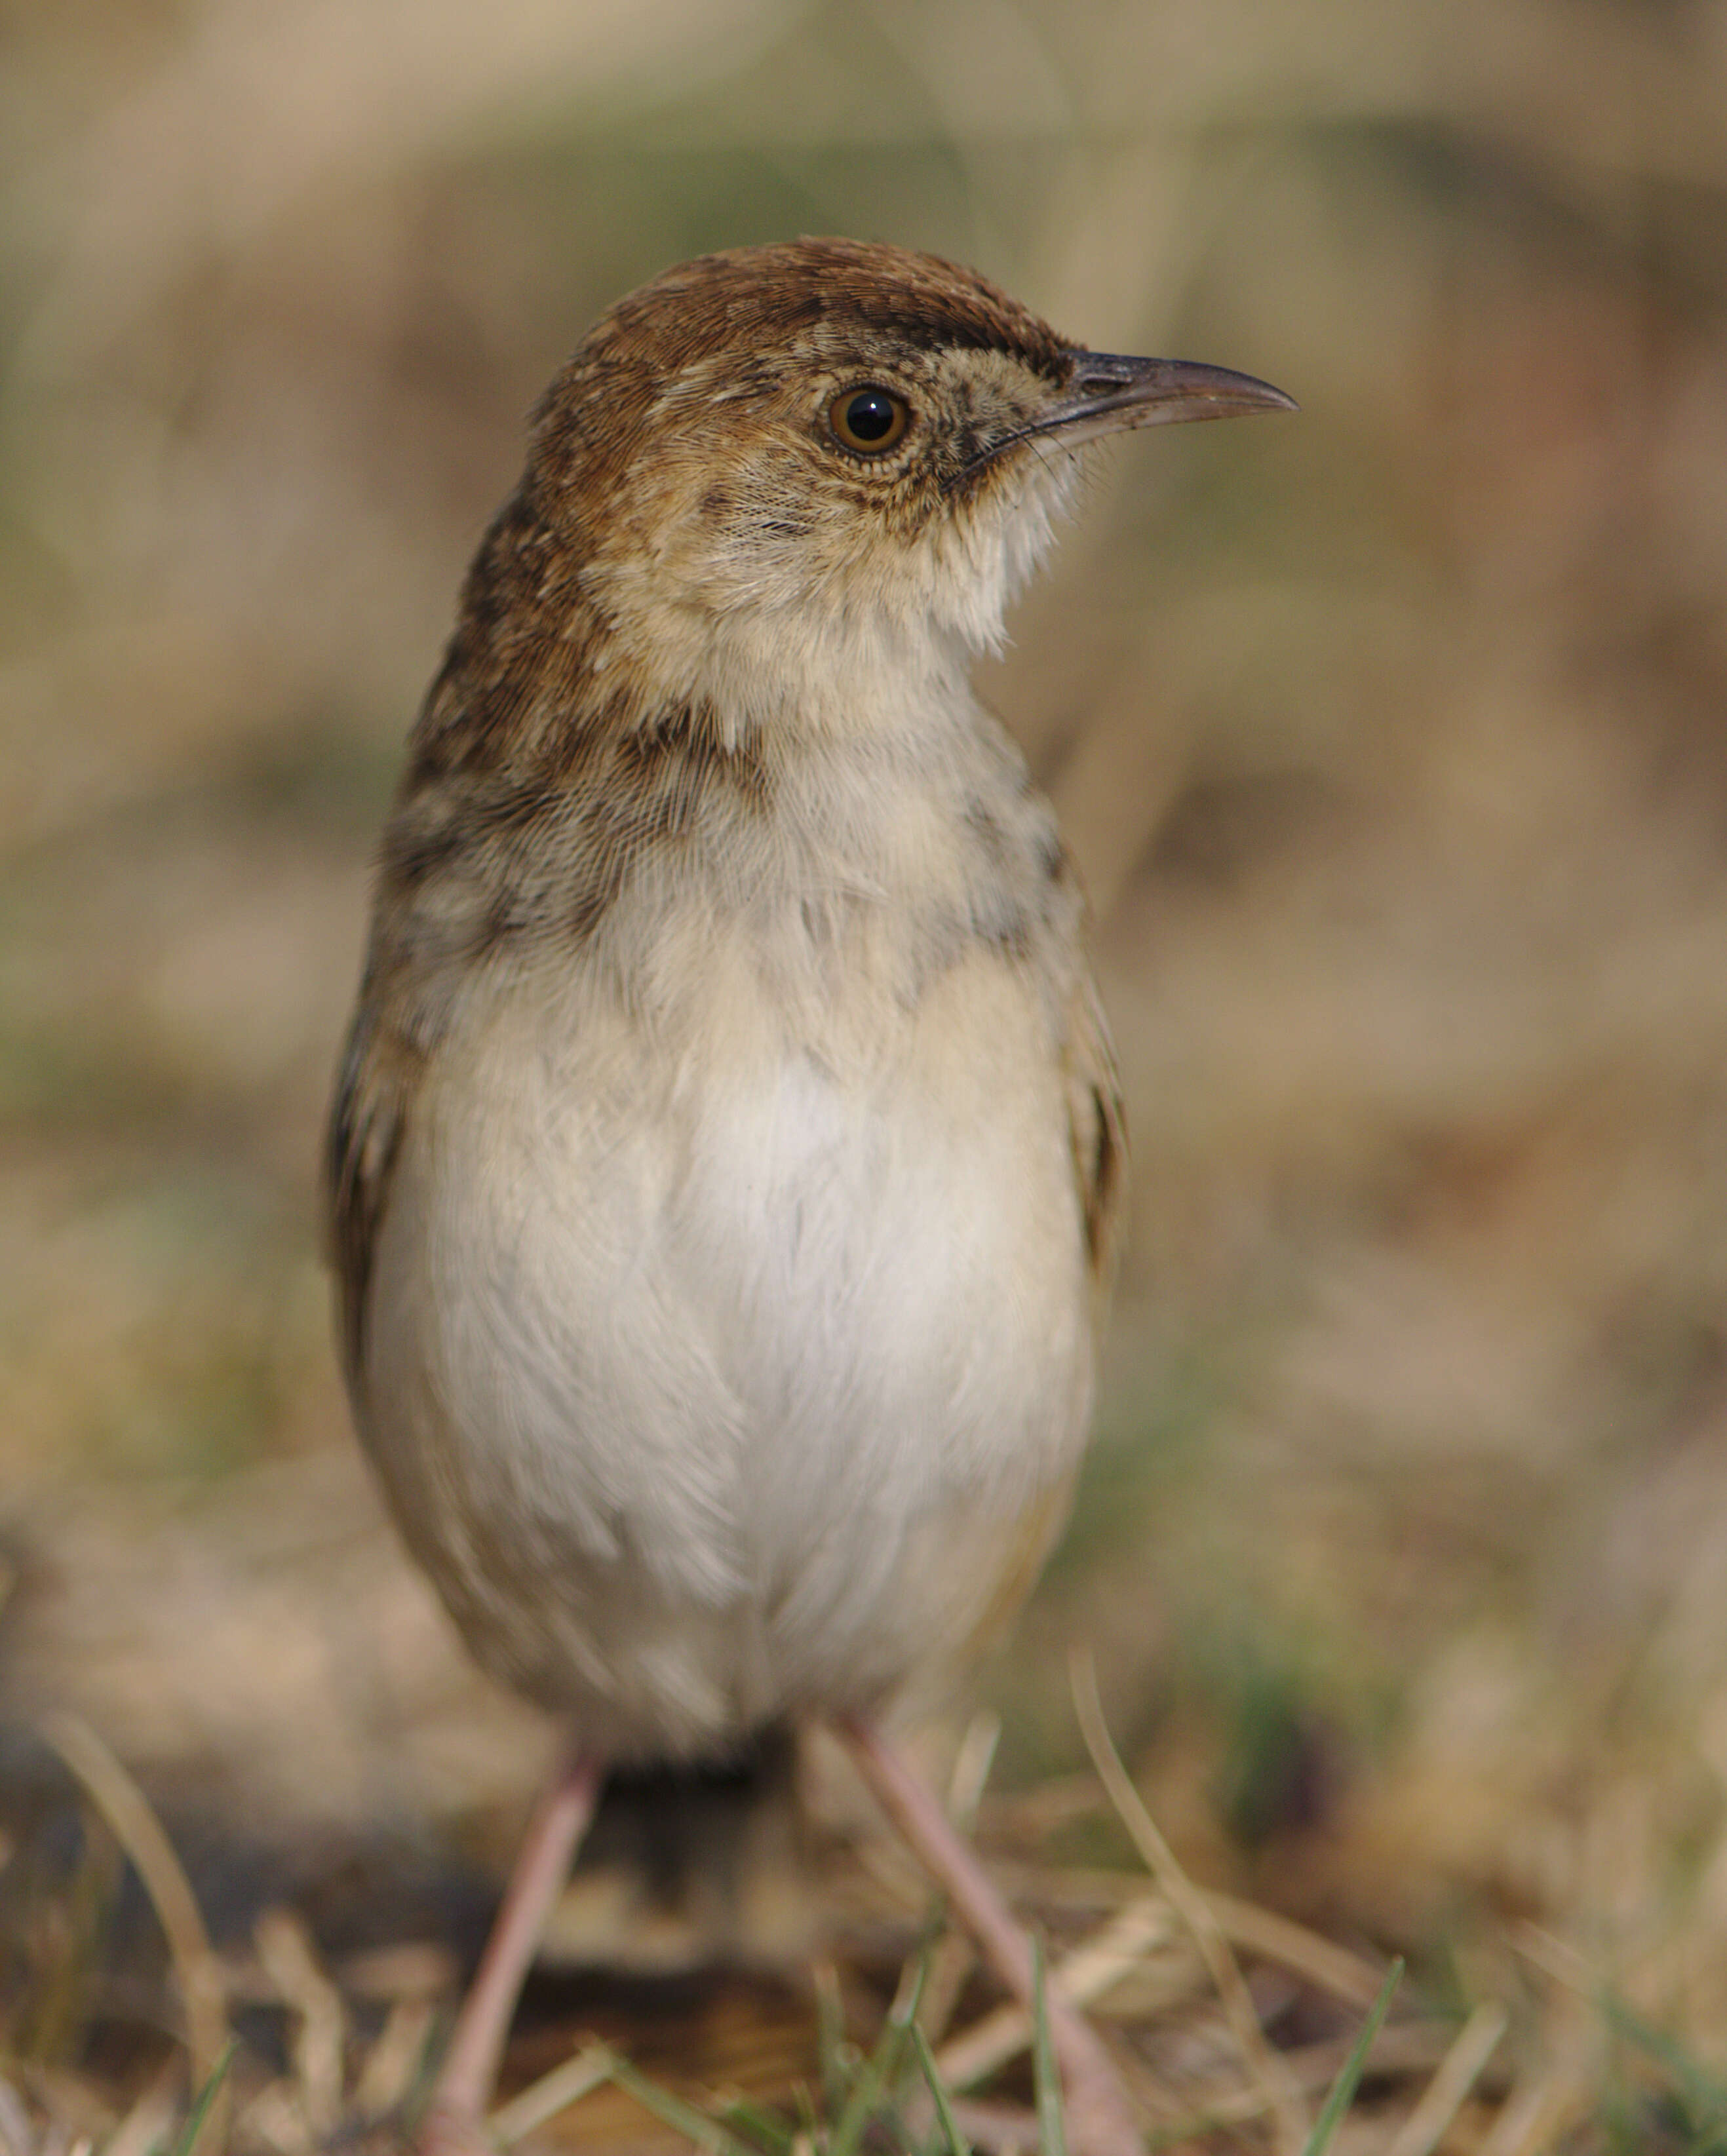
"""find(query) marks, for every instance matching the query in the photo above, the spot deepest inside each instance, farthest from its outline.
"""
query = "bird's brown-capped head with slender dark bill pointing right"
(799, 471)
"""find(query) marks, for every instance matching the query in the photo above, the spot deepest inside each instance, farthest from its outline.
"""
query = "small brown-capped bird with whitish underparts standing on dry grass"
(726, 1170)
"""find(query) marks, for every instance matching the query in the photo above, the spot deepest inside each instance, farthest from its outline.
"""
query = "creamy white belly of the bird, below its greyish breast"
(723, 1385)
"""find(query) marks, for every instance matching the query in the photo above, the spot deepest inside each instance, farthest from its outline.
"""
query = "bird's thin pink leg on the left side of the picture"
(454, 2123)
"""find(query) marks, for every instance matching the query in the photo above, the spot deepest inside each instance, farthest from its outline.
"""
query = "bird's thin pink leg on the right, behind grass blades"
(1101, 2114)
